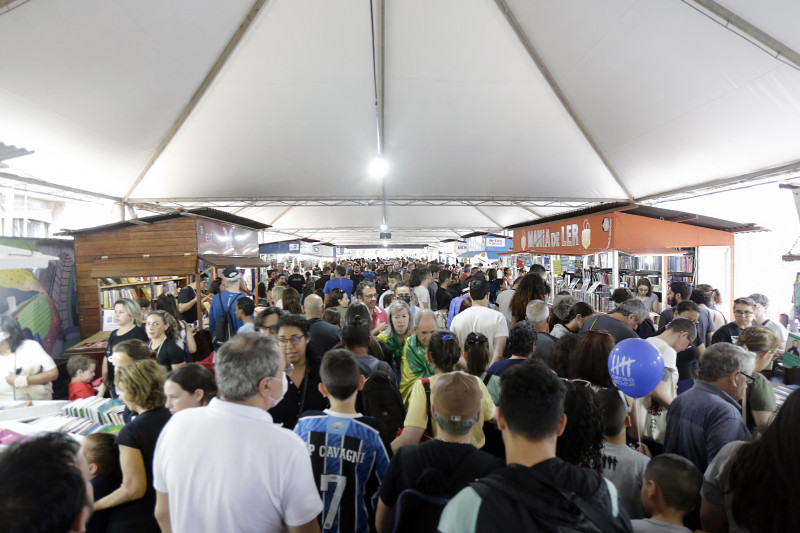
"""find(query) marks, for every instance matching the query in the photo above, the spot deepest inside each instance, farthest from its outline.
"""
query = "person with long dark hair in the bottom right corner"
(748, 486)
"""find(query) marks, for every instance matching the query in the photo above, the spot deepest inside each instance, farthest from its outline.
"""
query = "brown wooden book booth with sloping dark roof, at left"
(144, 257)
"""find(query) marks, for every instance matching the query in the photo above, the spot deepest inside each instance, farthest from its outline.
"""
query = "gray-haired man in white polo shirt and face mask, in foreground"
(249, 474)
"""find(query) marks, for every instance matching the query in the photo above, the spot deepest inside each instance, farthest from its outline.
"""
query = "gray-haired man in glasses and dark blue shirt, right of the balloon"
(708, 416)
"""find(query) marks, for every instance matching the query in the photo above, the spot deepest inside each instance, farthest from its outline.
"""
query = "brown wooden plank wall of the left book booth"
(172, 246)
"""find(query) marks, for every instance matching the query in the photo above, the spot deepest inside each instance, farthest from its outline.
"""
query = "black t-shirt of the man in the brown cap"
(459, 464)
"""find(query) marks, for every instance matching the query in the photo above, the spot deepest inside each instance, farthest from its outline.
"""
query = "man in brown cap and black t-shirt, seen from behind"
(456, 406)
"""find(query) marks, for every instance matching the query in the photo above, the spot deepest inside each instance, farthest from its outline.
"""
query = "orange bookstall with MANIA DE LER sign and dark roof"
(596, 250)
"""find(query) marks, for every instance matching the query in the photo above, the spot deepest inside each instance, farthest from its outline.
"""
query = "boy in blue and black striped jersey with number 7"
(348, 456)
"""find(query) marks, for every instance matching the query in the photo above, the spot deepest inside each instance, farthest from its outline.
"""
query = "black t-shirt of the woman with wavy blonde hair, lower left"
(142, 434)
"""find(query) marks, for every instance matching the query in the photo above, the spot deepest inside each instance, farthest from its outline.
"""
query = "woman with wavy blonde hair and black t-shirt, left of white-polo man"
(133, 503)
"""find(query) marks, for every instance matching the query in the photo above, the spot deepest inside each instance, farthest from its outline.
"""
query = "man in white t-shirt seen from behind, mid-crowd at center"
(480, 319)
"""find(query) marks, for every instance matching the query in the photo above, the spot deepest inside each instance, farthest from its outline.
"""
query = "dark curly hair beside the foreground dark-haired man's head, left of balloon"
(581, 443)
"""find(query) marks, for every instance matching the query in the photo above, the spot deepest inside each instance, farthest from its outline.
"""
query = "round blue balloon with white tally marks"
(636, 367)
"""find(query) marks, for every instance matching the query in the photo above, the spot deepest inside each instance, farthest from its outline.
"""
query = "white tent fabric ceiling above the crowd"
(629, 97)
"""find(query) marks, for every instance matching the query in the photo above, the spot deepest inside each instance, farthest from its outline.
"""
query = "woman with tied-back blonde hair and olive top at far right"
(759, 401)
